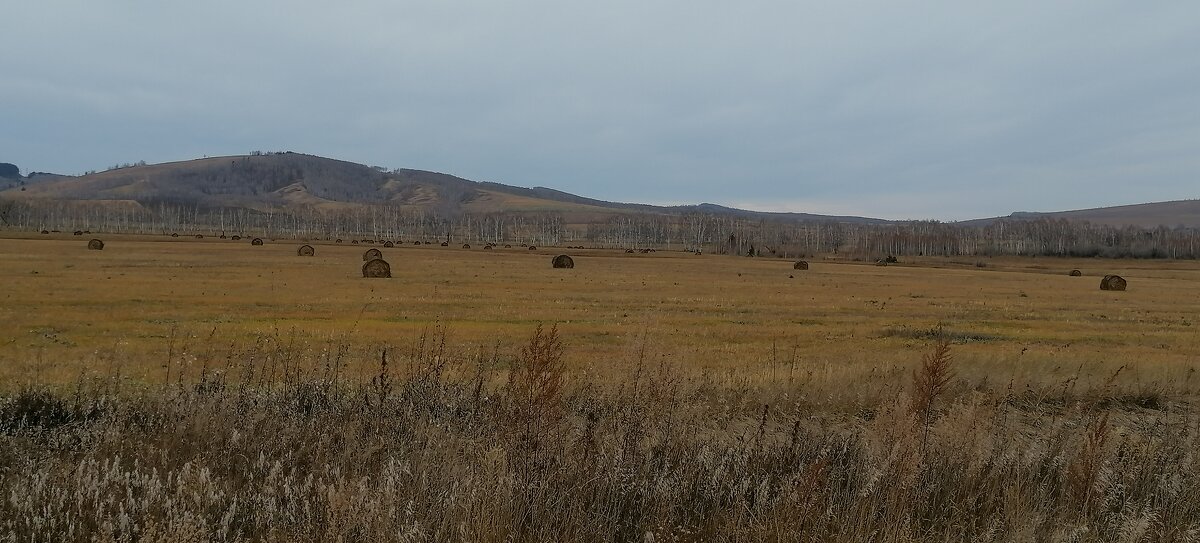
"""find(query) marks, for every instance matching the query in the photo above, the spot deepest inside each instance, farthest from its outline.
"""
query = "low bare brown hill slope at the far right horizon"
(1149, 216)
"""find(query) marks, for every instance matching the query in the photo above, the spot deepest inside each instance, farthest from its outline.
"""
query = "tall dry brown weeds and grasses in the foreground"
(278, 444)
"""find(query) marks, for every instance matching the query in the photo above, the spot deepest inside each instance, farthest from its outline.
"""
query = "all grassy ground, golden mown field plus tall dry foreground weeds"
(676, 398)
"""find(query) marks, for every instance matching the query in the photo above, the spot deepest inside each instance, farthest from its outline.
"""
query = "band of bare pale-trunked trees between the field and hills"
(692, 231)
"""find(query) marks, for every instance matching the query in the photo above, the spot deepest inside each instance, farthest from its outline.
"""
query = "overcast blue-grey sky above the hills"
(892, 110)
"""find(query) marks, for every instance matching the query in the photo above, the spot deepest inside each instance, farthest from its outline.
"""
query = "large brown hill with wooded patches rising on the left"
(290, 180)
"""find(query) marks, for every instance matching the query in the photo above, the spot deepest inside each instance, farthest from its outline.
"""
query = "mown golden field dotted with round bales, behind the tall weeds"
(69, 312)
